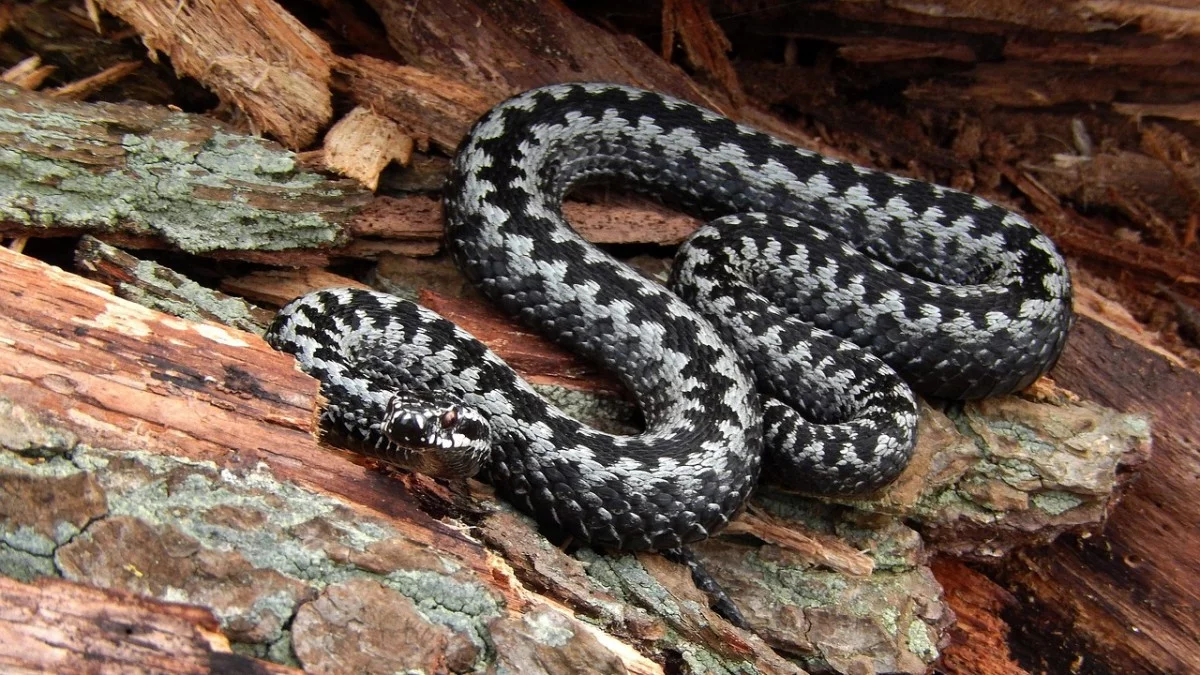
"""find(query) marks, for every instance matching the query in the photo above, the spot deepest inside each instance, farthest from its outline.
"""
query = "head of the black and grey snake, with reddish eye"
(436, 435)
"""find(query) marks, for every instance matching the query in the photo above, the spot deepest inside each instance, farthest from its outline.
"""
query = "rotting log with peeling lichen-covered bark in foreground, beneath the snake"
(91, 381)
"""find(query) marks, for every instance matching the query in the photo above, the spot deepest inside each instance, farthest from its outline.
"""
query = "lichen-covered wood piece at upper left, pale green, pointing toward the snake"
(178, 176)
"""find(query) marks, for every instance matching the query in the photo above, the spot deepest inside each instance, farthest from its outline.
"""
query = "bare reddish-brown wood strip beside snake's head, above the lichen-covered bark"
(127, 378)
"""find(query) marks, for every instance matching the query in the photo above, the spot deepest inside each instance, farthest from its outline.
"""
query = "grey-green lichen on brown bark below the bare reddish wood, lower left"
(247, 515)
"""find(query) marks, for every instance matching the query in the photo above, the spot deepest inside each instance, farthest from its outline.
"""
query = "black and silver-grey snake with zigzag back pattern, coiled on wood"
(796, 326)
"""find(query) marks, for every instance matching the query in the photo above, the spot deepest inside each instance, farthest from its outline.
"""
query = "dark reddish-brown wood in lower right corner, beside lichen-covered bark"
(1131, 596)
